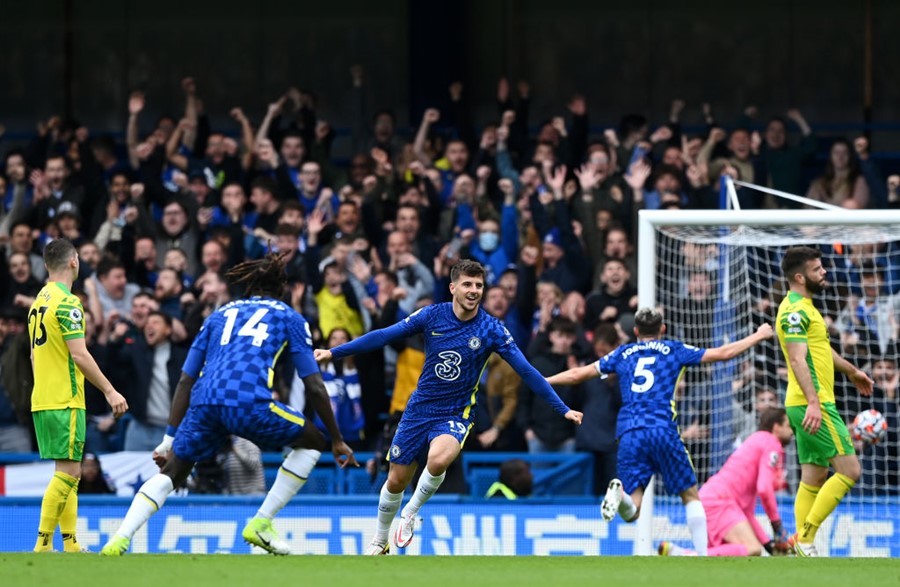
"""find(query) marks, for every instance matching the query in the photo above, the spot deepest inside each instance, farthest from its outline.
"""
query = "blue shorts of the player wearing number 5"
(644, 452)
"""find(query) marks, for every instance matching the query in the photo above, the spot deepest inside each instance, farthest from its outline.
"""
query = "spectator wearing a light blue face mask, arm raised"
(494, 249)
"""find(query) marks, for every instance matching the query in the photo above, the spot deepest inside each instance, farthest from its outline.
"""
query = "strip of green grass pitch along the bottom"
(174, 570)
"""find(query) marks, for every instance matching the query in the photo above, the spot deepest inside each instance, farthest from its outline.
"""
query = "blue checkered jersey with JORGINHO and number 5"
(648, 373)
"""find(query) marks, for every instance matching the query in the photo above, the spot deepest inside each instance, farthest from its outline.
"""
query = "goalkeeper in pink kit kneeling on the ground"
(756, 469)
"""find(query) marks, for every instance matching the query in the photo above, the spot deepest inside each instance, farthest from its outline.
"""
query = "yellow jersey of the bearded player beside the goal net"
(799, 321)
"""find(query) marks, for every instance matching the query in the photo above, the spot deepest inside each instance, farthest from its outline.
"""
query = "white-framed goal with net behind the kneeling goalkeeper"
(716, 275)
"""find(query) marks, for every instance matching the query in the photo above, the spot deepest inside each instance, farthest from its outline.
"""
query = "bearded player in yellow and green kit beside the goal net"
(822, 437)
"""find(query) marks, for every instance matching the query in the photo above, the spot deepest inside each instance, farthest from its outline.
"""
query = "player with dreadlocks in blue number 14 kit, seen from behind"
(226, 388)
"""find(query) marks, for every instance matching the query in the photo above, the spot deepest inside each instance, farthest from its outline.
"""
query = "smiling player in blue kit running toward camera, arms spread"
(459, 338)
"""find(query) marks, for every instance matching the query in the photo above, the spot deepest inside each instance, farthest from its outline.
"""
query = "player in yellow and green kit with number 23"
(61, 361)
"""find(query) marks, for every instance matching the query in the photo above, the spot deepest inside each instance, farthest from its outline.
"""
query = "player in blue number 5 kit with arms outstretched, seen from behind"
(649, 441)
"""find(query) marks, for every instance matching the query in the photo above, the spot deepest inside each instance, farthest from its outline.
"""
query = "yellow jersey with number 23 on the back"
(56, 316)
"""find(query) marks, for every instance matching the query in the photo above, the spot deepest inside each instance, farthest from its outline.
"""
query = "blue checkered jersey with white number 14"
(235, 352)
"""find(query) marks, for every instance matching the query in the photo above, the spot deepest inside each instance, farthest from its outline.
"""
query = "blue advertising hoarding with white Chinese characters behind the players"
(450, 526)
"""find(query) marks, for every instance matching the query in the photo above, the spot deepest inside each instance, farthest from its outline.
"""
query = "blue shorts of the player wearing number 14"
(269, 425)
